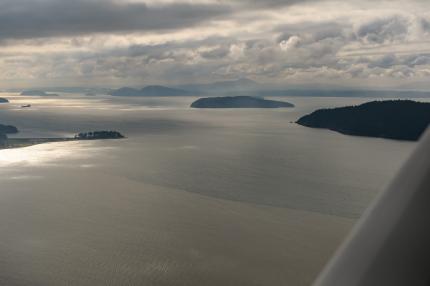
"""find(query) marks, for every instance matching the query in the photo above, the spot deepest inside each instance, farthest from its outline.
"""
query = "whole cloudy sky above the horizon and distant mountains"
(112, 43)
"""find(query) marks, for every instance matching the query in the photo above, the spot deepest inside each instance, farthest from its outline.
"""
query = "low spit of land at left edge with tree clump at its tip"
(6, 142)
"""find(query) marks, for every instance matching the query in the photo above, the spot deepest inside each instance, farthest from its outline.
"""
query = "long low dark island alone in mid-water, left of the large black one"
(238, 102)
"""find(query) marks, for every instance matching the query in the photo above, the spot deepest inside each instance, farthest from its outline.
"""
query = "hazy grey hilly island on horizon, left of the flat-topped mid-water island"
(151, 90)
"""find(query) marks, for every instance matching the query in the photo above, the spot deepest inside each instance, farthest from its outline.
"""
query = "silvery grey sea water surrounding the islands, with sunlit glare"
(190, 197)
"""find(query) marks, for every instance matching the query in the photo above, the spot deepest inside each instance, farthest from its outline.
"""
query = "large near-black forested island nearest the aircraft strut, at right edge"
(392, 119)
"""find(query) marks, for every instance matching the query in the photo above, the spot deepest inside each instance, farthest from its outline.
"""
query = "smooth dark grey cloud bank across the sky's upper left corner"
(50, 18)
